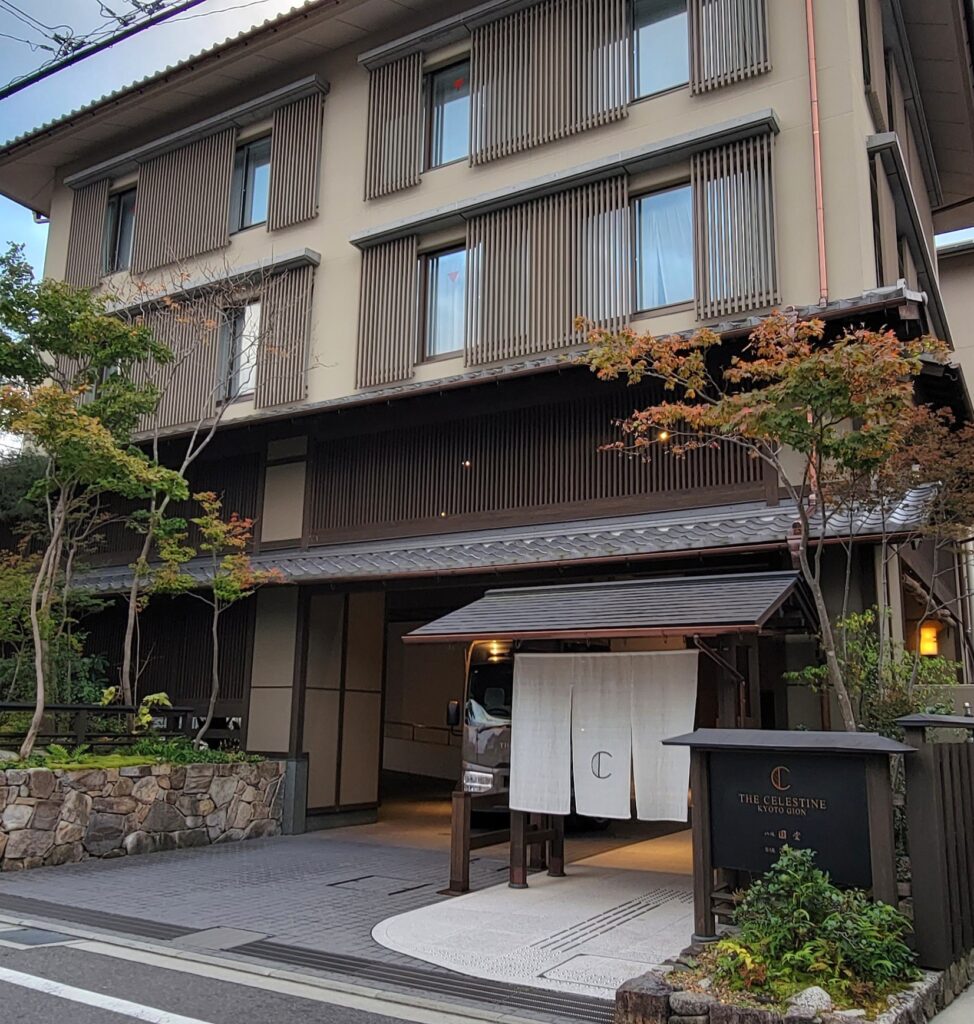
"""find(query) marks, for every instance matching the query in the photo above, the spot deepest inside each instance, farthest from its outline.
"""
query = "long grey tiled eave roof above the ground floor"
(747, 526)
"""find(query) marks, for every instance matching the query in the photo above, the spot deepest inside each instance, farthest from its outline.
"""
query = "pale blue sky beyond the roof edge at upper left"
(134, 59)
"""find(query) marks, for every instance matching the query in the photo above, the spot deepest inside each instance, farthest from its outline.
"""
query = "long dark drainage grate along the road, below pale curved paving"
(539, 1001)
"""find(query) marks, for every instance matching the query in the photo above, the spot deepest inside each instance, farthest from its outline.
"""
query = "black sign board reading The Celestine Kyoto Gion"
(761, 801)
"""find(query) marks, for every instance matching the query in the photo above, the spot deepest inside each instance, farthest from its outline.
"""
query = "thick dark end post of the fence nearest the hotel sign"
(925, 836)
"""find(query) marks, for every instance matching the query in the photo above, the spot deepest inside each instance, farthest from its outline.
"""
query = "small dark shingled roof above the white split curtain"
(675, 607)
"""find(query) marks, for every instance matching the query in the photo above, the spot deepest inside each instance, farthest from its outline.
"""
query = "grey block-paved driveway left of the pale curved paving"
(318, 891)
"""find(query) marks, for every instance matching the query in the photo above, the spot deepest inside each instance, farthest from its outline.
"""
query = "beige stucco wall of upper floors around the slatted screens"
(845, 124)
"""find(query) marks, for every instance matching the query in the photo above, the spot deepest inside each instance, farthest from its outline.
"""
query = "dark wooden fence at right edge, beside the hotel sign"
(941, 835)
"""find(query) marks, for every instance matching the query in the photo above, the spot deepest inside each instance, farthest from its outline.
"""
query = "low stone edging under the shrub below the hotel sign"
(652, 999)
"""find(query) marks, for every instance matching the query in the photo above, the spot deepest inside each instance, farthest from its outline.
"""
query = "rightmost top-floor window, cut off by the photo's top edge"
(661, 46)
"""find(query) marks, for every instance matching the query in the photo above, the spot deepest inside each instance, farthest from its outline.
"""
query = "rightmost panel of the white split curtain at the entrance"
(664, 701)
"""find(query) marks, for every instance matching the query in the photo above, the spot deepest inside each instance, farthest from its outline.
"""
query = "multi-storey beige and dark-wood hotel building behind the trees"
(379, 223)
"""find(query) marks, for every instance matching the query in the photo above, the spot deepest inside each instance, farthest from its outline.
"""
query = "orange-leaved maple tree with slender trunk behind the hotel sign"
(845, 407)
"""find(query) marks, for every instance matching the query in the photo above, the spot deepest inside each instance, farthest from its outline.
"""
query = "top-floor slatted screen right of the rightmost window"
(729, 42)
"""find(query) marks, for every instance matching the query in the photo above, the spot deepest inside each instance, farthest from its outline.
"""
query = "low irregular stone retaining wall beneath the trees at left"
(61, 818)
